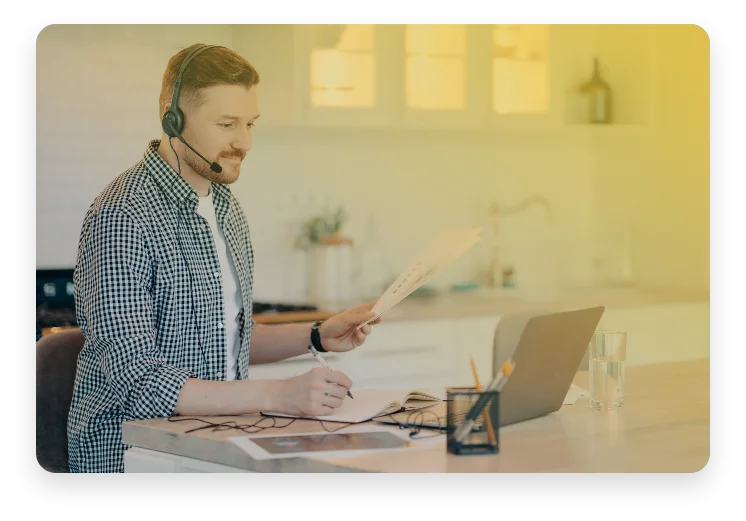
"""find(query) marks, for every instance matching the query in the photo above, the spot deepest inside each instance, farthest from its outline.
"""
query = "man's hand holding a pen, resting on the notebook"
(315, 393)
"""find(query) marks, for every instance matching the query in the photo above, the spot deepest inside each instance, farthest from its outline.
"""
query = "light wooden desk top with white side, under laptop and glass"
(664, 426)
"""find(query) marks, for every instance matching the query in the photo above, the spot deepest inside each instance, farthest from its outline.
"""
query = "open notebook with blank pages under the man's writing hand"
(369, 403)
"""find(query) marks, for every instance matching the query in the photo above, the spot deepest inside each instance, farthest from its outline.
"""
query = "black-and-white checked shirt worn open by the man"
(149, 300)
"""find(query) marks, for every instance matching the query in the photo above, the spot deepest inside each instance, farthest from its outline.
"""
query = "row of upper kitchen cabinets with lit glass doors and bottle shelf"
(489, 77)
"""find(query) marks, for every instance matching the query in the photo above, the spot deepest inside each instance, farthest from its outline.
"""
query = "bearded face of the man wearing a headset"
(220, 129)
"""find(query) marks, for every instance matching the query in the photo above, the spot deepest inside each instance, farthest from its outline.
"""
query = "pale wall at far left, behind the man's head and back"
(97, 93)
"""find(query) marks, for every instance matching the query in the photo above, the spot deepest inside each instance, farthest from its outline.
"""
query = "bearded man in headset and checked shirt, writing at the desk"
(163, 280)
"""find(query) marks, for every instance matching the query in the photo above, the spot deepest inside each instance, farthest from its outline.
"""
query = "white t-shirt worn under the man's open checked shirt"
(231, 288)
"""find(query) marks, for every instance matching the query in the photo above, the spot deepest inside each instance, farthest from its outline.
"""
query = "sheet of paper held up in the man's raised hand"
(442, 250)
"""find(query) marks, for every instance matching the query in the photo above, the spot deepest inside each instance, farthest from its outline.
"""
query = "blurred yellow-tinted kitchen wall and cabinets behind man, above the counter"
(581, 150)
